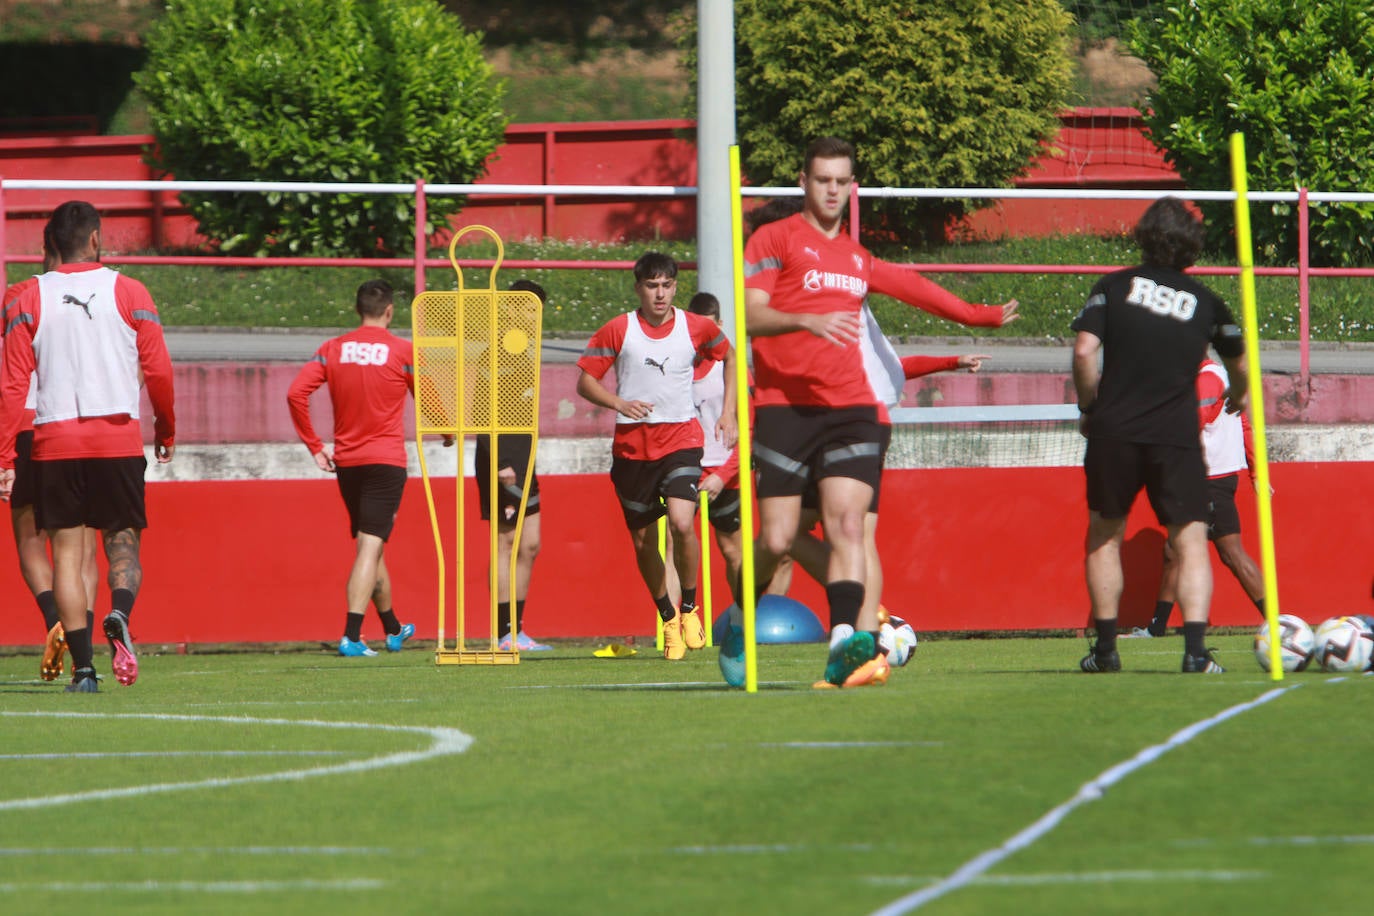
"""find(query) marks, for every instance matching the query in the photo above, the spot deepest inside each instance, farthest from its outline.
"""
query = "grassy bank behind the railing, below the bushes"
(582, 300)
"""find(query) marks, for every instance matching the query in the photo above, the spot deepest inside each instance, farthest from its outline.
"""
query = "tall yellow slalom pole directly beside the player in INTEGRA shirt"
(747, 479)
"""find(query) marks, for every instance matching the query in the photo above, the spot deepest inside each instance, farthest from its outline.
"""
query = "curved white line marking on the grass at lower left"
(443, 742)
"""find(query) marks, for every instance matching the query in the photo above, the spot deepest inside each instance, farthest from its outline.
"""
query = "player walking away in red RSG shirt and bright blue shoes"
(369, 371)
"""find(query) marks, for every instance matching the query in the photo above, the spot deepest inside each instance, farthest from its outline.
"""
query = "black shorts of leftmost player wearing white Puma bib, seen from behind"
(102, 494)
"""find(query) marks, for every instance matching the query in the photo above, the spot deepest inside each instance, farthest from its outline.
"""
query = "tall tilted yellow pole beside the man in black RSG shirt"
(1265, 502)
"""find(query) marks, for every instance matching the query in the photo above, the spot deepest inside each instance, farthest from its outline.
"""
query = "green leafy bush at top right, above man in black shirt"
(1298, 82)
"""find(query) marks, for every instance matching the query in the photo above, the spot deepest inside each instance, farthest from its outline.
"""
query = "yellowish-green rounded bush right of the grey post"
(958, 94)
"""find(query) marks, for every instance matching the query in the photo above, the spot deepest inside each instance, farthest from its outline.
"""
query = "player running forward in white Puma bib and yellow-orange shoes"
(657, 448)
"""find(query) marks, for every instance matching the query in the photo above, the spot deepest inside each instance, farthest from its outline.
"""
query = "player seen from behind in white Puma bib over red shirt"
(89, 459)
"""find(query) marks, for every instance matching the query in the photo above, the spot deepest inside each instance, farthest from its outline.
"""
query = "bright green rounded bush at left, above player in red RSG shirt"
(318, 91)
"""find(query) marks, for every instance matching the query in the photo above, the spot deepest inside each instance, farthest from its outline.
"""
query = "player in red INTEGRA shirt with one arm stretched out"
(820, 421)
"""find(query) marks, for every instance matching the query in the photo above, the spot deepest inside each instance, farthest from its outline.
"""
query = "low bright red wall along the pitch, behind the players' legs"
(266, 561)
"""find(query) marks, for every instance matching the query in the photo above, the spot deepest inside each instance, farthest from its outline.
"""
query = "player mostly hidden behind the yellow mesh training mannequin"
(513, 463)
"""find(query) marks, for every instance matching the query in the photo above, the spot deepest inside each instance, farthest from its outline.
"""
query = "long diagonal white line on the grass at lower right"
(1090, 792)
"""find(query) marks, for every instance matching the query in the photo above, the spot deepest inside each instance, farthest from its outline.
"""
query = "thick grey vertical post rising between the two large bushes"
(715, 137)
